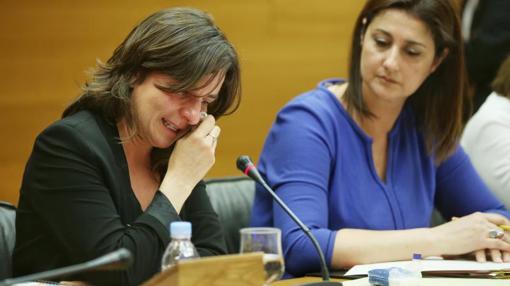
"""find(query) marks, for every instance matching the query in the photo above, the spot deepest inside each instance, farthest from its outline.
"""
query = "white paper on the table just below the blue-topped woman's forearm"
(433, 265)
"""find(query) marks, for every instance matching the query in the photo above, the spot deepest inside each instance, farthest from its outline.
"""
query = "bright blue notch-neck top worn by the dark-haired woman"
(319, 161)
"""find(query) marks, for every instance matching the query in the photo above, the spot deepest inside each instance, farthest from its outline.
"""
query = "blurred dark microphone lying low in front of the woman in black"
(117, 260)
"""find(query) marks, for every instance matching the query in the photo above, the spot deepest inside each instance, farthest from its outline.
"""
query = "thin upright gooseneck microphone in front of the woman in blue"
(246, 166)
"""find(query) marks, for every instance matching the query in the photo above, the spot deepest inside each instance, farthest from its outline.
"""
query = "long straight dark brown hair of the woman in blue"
(438, 102)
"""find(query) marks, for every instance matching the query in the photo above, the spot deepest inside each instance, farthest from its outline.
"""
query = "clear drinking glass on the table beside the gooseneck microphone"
(268, 241)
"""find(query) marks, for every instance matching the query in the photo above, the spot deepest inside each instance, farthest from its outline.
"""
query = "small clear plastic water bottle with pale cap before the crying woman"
(180, 247)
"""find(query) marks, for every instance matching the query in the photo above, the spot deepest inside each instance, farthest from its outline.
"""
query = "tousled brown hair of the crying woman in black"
(183, 43)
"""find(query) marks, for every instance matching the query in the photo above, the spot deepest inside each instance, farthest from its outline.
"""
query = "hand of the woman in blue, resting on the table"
(470, 234)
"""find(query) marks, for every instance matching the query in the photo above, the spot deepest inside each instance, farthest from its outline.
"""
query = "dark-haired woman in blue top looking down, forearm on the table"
(363, 162)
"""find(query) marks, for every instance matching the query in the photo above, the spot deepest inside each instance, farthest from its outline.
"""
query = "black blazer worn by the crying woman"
(76, 203)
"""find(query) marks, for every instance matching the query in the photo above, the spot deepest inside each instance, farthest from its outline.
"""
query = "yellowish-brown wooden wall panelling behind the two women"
(285, 46)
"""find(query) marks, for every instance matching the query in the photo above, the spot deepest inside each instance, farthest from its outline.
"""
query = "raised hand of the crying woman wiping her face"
(191, 159)
